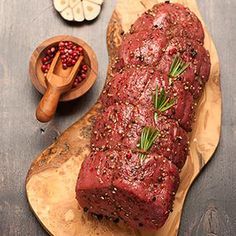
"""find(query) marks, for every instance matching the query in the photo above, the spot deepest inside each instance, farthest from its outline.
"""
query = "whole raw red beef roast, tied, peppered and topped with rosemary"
(139, 141)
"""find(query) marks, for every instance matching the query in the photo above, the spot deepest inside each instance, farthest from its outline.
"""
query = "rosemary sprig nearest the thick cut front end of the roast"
(148, 137)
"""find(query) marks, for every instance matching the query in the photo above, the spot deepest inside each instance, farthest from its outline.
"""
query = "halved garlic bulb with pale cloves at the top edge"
(78, 10)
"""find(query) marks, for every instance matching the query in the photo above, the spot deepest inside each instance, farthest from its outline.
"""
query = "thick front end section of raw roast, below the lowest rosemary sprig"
(116, 184)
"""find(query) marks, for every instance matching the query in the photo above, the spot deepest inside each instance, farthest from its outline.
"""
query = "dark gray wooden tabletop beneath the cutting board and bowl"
(210, 208)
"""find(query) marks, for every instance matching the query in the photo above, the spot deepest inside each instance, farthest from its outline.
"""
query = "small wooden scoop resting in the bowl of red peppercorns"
(58, 82)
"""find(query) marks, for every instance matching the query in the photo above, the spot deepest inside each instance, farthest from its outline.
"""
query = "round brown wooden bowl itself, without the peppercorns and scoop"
(37, 76)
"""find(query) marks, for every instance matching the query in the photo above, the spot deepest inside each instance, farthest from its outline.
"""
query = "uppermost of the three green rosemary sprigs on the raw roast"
(178, 67)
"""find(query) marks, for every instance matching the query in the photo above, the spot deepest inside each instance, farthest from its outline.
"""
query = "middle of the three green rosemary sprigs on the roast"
(162, 102)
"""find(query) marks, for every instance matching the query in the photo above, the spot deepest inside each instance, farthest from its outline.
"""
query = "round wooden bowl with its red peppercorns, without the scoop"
(71, 48)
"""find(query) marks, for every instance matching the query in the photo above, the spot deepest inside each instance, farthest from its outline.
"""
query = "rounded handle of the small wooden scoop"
(48, 104)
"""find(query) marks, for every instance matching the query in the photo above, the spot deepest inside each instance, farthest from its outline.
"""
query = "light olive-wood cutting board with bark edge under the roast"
(50, 183)
